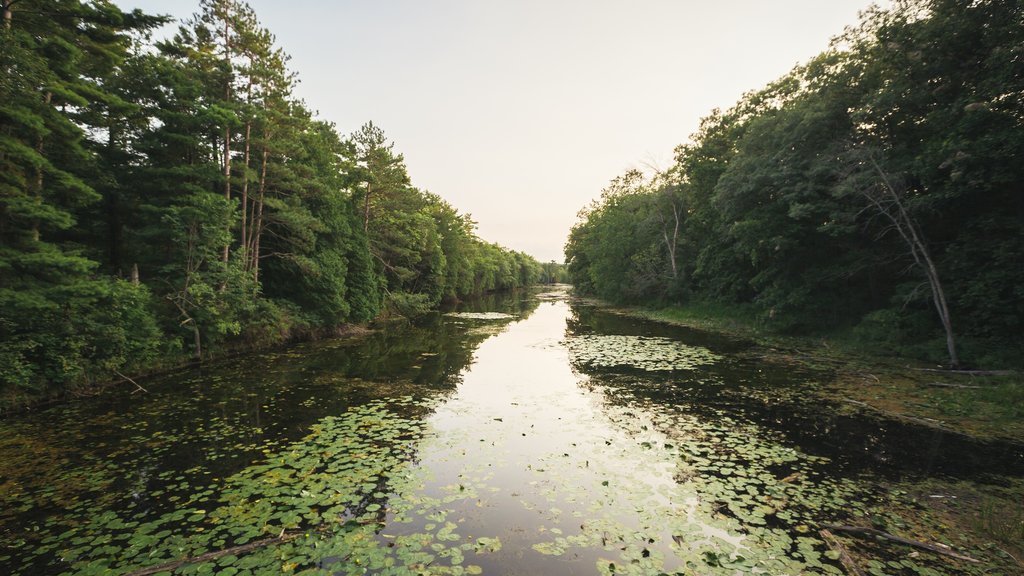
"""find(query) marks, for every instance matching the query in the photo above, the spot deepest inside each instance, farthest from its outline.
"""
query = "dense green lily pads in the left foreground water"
(330, 492)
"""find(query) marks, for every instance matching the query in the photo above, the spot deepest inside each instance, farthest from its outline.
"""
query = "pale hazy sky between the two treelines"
(521, 112)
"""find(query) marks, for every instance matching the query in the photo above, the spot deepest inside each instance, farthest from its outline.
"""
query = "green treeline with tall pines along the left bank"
(160, 201)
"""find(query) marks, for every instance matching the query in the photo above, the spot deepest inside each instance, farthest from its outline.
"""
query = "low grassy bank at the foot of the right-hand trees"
(987, 405)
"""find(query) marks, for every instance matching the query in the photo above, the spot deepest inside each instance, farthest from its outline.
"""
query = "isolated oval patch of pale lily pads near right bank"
(644, 353)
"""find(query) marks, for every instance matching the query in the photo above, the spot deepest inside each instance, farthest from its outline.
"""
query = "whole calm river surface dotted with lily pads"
(522, 435)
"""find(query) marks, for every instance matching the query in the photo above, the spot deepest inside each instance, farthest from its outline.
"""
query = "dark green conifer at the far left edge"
(59, 58)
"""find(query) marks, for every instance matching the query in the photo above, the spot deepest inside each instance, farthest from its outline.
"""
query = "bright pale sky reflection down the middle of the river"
(529, 455)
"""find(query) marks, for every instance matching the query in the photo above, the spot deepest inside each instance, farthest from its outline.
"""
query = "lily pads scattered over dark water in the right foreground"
(773, 495)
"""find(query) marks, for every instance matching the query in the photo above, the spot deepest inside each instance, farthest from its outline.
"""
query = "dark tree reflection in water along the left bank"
(145, 457)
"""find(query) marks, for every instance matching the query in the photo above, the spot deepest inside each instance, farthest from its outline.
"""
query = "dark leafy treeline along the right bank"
(877, 191)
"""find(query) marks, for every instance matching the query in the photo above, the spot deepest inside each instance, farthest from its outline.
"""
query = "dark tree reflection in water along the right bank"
(778, 396)
